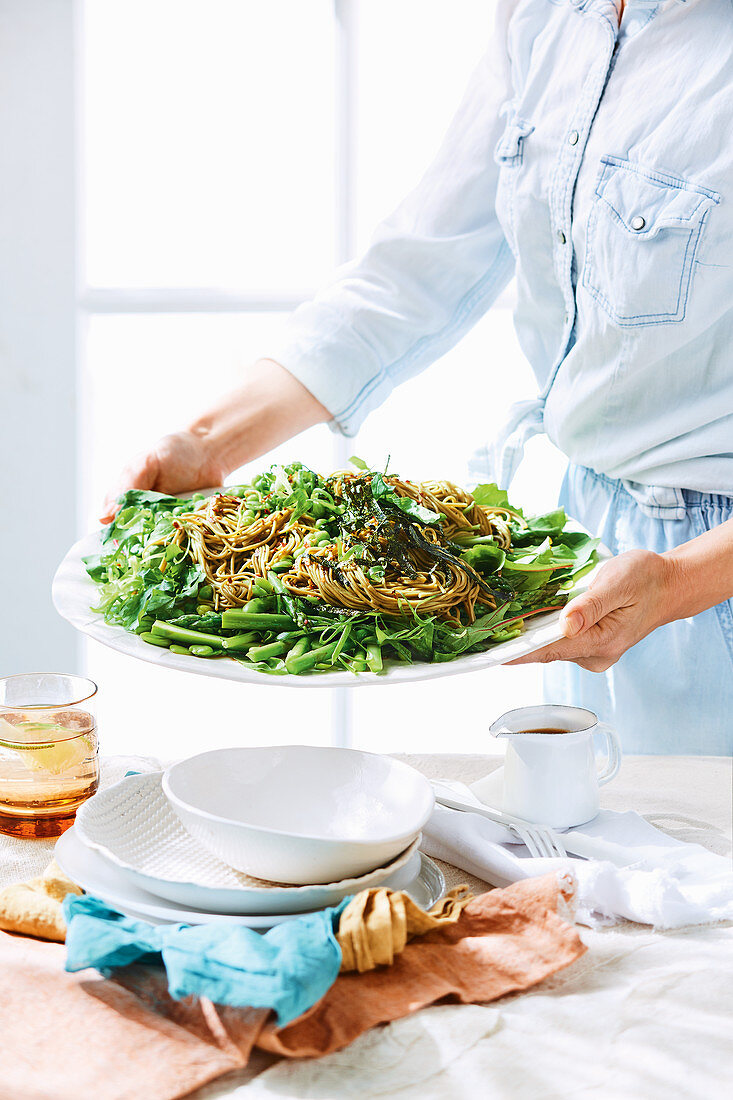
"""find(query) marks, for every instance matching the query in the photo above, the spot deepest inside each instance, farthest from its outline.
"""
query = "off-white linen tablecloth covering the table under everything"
(642, 1017)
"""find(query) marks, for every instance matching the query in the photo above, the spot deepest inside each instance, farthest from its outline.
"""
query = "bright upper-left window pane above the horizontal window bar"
(210, 142)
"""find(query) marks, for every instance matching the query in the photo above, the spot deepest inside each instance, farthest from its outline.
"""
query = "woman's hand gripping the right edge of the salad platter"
(631, 597)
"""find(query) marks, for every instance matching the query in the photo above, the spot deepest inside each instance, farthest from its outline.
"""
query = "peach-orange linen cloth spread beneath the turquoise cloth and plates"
(65, 1036)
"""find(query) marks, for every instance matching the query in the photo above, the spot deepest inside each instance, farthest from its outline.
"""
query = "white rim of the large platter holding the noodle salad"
(75, 593)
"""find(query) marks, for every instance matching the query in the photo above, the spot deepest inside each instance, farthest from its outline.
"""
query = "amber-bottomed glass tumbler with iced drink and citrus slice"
(49, 752)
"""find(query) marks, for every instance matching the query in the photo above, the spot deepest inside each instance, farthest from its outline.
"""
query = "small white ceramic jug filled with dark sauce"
(554, 778)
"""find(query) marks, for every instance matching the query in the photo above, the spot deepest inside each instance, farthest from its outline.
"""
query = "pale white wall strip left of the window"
(38, 323)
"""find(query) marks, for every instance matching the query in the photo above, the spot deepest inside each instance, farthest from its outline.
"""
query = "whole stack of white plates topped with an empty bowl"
(256, 835)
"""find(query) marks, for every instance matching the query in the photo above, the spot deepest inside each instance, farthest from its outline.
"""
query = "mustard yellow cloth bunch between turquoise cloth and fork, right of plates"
(377, 925)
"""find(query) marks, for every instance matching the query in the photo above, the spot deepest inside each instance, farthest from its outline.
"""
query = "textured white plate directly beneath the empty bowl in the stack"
(134, 826)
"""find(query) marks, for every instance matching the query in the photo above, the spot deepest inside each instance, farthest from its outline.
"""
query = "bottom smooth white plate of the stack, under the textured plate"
(99, 877)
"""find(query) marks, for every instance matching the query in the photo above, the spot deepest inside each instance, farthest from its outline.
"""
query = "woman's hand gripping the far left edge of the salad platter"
(178, 464)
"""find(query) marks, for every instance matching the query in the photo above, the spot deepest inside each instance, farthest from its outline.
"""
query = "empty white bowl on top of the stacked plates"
(298, 813)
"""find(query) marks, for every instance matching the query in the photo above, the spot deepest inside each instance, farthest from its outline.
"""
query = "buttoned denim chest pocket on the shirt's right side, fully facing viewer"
(643, 235)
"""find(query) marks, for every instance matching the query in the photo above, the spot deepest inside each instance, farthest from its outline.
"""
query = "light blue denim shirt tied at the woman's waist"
(594, 162)
